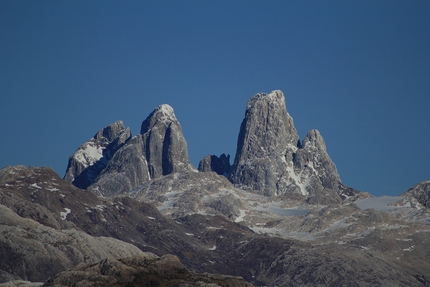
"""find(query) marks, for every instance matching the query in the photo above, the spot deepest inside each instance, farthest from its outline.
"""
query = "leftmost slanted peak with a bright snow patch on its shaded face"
(92, 157)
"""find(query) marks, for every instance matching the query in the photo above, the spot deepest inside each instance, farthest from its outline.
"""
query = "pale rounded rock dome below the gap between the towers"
(180, 194)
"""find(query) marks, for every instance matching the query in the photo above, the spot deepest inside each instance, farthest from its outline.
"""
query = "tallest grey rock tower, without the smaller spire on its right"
(266, 134)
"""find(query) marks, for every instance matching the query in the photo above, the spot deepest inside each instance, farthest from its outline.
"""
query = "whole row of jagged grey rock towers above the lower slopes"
(269, 157)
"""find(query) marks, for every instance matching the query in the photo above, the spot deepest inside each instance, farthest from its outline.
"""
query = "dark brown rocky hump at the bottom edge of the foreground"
(144, 270)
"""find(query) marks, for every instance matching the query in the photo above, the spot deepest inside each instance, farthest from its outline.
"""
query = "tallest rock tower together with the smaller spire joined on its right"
(271, 160)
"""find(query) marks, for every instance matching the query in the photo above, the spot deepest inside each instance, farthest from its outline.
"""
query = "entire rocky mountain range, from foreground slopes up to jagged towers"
(133, 211)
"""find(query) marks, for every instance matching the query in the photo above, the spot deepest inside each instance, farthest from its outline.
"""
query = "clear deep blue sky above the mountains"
(358, 71)
